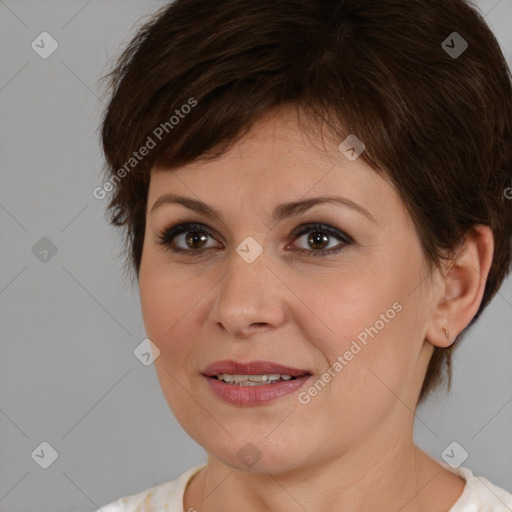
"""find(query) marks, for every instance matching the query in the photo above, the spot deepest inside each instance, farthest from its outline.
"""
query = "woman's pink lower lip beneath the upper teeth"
(253, 395)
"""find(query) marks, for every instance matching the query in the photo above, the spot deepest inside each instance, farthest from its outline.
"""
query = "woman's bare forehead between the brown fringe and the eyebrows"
(275, 161)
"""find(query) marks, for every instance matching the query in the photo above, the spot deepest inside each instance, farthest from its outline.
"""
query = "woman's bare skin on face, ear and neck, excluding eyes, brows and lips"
(351, 447)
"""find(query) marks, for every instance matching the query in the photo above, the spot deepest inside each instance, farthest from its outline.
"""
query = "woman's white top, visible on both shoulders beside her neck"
(479, 495)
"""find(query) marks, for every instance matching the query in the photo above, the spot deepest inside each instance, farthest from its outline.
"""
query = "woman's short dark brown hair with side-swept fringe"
(435, 116)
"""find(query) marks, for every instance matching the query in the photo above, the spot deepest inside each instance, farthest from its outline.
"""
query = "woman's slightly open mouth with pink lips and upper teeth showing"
(254, 382)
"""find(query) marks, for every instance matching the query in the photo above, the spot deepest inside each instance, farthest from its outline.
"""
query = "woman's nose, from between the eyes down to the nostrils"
(250, 298)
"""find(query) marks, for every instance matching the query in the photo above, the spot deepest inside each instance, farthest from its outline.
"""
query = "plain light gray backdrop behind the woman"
(69, 325)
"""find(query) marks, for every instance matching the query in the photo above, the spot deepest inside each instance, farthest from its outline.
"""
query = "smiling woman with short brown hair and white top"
(314, 200)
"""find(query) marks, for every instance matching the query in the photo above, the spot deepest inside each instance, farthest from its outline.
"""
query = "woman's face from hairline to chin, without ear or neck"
(254, 284)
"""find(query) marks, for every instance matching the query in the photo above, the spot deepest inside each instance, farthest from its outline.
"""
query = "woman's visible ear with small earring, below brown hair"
(461, 287)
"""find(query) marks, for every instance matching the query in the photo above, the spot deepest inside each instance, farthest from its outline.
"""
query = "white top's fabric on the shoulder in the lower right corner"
(481, 495)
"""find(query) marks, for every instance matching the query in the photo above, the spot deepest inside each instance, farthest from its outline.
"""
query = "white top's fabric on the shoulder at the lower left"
(164, 497)
